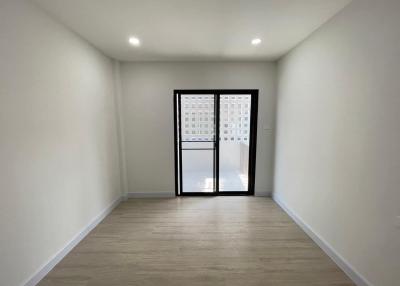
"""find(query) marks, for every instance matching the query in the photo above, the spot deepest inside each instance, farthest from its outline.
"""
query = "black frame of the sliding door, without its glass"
(252, 144)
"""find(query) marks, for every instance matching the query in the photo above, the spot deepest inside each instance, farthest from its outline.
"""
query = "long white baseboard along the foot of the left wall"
(47, 267)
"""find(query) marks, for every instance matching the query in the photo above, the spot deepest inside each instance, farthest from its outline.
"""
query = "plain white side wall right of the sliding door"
(338, 136)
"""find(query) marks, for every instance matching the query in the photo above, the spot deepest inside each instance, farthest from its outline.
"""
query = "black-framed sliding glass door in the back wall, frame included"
(215, 141)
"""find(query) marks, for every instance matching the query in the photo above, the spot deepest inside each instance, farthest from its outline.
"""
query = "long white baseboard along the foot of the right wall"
(357, 278)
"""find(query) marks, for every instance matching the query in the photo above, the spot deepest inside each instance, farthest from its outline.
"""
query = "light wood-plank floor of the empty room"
(197, 241)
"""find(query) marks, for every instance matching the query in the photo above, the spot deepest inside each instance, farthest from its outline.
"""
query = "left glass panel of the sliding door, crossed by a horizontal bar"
(197, 113)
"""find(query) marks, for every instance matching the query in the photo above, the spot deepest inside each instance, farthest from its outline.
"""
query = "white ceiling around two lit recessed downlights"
(176, 30)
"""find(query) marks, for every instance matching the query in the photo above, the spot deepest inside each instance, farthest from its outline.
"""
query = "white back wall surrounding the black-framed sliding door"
(147, 92)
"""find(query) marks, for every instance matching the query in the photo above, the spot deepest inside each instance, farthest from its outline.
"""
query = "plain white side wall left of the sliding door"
(58, 146)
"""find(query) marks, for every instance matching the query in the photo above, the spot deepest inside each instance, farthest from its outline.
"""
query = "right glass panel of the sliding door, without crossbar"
(234, 142)
